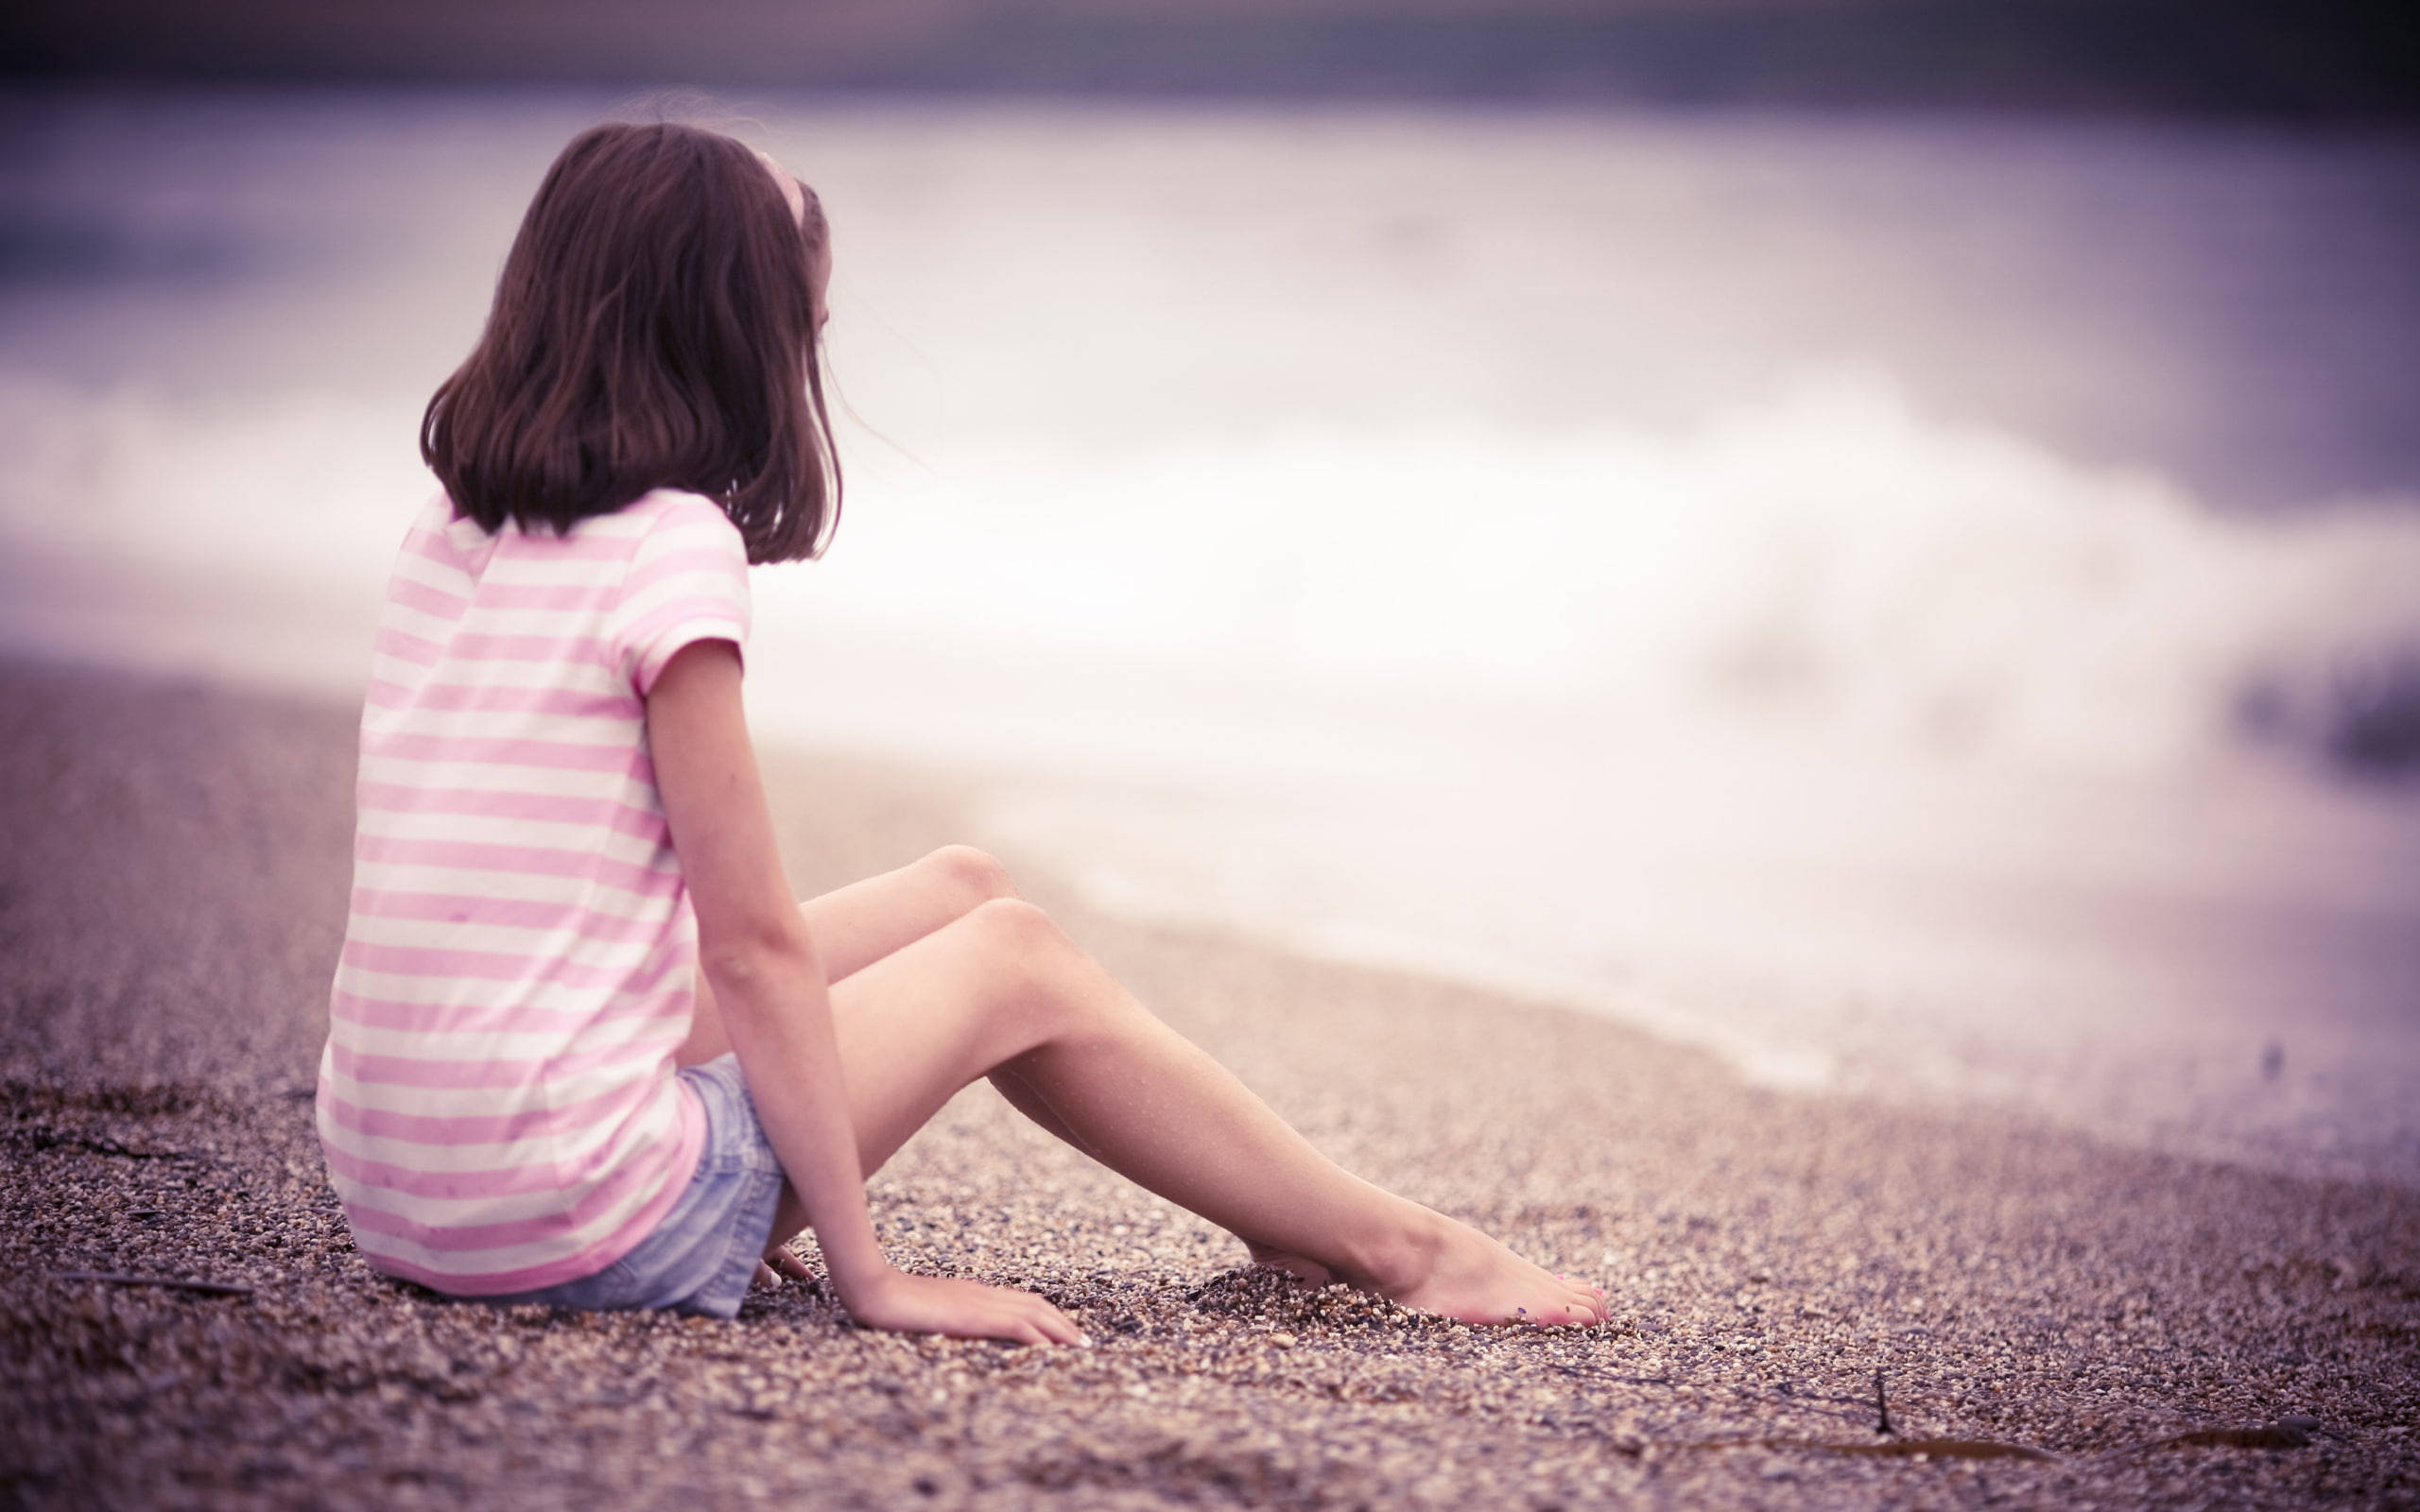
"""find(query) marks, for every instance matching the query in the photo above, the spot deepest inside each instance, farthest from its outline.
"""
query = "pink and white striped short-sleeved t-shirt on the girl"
(497, 1100)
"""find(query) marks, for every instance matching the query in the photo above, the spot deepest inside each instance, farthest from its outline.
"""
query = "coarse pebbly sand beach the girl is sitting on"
(2049, 1320)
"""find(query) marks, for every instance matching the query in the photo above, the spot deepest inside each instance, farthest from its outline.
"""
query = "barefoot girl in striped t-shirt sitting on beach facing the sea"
(582, 1046)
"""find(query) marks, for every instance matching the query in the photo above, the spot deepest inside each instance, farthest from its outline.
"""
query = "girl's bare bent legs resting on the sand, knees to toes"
(1003, 993)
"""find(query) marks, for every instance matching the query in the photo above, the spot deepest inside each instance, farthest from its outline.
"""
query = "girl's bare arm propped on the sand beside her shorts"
(771, 986)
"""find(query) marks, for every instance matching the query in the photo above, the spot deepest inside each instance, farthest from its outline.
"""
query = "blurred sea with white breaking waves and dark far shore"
(1872, 536)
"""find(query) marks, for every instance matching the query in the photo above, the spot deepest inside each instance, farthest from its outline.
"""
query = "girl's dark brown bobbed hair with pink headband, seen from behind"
(655, 328)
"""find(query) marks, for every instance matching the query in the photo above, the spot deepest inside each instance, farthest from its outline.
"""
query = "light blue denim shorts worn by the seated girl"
(703, 1254)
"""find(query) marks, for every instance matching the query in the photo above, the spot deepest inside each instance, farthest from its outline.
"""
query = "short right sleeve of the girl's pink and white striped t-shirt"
(686, 582)
